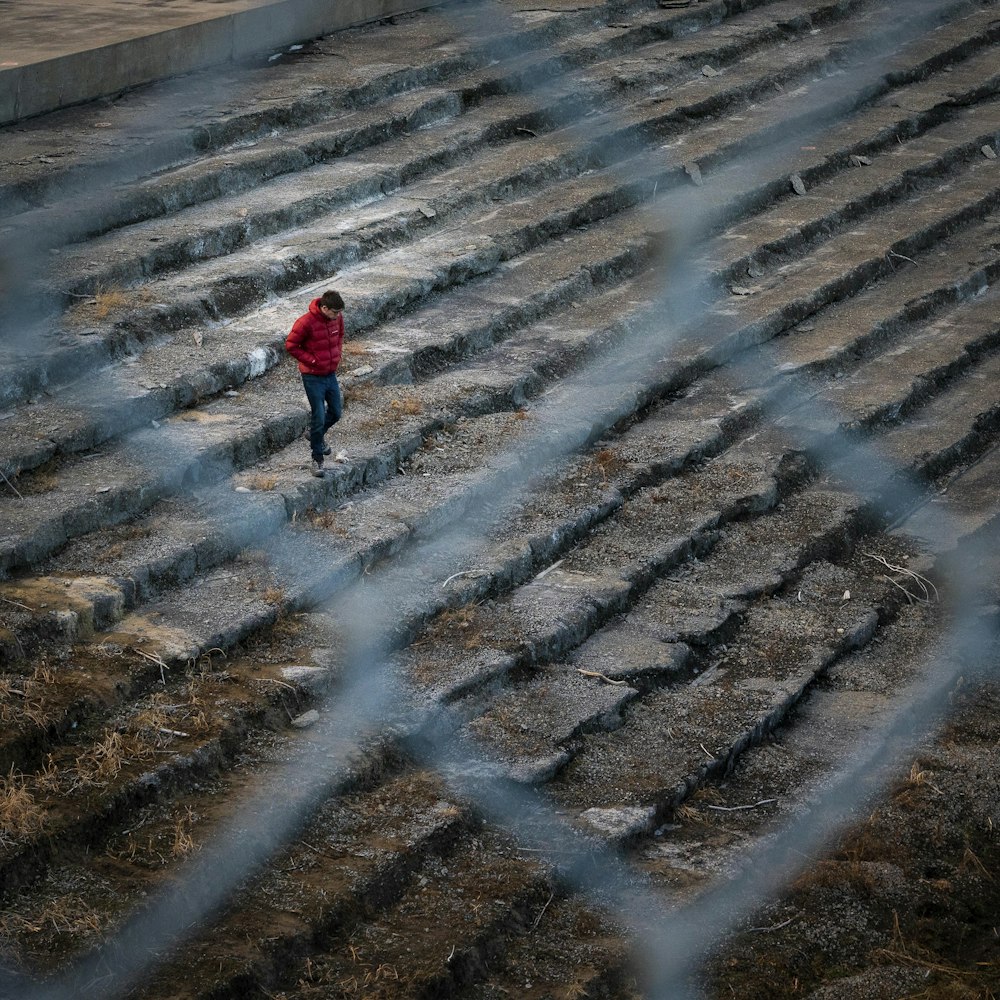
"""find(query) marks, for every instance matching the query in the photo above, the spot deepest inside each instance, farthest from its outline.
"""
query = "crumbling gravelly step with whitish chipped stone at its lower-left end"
(626, 782)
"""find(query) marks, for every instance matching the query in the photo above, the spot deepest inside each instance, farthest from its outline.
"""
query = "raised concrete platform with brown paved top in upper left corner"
(55, 53)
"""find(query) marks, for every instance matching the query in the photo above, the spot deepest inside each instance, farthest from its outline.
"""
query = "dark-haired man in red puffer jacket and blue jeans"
(316, 341)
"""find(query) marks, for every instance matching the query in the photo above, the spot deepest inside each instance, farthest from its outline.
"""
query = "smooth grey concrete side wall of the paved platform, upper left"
(44, 85)
